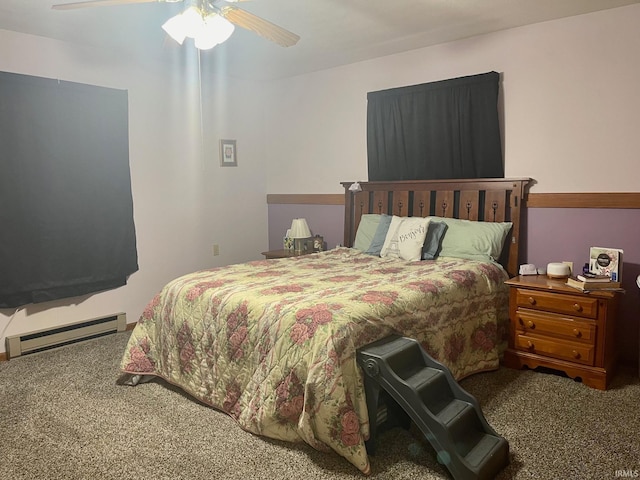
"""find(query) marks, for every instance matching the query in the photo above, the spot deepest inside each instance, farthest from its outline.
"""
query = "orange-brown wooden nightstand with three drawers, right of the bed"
(558, 327)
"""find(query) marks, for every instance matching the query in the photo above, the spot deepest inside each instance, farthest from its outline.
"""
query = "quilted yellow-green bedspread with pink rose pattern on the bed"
(273, 342)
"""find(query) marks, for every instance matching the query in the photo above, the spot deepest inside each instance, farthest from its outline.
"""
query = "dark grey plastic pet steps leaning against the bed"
(400, 375)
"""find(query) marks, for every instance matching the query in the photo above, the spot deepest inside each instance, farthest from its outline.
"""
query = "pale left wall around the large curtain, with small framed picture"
(183, 200)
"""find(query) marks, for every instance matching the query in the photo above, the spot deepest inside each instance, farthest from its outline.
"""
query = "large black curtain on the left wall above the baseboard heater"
(66, 209)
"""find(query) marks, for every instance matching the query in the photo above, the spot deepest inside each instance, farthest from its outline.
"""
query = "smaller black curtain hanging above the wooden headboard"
(438, 130)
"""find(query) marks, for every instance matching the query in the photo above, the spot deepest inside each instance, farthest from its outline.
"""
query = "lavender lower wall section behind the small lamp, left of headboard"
(325, 220)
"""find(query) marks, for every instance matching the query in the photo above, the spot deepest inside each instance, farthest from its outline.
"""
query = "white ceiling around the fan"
(333, 32)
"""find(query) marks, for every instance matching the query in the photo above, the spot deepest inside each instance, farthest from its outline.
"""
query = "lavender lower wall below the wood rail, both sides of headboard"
(551, 235)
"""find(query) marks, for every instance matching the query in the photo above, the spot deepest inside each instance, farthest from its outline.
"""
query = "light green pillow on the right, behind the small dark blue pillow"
(473, 240)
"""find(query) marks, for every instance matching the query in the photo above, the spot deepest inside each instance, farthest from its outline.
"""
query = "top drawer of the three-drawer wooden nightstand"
(582, 306)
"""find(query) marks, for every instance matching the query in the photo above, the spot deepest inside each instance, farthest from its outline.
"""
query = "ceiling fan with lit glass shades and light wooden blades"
(209, 22)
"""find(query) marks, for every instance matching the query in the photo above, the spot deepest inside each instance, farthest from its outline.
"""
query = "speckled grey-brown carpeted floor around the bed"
(62, 416)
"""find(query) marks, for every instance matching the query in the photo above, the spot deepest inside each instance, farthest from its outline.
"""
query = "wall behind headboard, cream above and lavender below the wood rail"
(570, 113)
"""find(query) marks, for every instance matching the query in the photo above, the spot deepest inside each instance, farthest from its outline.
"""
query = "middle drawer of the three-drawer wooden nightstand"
(558, 326)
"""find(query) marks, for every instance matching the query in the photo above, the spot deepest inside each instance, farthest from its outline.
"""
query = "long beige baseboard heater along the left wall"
(59, 336)
